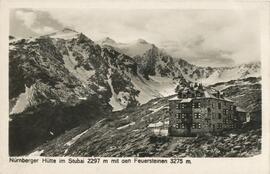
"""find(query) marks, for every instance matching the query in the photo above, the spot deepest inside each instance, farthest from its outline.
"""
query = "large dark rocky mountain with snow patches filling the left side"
(59, 80)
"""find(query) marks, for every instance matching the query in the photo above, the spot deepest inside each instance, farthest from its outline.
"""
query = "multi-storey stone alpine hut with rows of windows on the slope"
(198, 110)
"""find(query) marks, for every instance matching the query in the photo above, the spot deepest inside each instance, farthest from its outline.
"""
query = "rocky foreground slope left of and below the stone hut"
(142, 133)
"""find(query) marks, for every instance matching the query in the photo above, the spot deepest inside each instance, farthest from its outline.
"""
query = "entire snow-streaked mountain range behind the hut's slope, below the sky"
(59, 80)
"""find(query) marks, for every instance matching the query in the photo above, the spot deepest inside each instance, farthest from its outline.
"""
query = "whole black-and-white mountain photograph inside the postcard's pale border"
(116, 82)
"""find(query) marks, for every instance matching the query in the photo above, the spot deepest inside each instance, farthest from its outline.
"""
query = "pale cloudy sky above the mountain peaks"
(202, 37)
